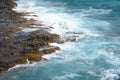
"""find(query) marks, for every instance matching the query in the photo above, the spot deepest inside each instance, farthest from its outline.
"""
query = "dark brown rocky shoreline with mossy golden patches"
(17, 46)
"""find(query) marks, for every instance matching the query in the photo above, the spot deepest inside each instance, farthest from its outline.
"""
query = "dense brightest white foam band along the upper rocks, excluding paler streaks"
(61, 22)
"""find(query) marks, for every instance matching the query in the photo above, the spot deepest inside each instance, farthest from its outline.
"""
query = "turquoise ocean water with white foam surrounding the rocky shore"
(95, 55)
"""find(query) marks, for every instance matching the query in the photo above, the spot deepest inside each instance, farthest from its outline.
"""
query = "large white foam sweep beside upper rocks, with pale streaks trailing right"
(61, 22)
